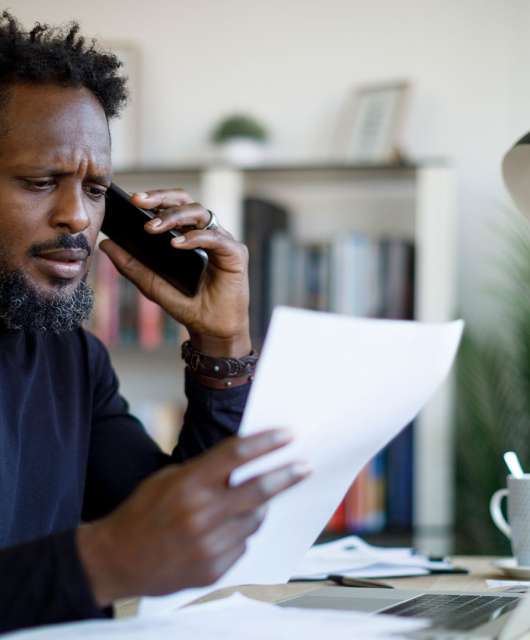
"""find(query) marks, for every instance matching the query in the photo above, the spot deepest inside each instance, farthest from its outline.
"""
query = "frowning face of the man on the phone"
(54, 168)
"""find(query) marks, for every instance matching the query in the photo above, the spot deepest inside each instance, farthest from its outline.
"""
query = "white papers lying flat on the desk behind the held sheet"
(354, 558)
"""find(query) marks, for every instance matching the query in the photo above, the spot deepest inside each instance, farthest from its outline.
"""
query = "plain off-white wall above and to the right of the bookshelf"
(292, 63)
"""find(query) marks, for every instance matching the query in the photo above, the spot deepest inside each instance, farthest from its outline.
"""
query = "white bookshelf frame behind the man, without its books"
(414, 203)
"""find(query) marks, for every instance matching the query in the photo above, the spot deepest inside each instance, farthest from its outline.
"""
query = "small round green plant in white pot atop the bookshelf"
(241, 139)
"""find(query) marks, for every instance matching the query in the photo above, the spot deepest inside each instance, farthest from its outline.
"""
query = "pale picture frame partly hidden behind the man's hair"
(125, 130)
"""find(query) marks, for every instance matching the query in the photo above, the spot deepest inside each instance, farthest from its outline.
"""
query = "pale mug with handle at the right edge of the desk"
(518, 529)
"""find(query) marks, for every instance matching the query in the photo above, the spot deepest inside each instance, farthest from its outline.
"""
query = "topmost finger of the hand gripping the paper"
(219, 462)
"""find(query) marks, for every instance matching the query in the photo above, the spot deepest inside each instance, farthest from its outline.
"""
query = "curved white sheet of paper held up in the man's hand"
(345, 387)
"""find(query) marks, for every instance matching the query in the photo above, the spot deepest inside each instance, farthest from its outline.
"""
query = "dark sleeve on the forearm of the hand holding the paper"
(43, 582)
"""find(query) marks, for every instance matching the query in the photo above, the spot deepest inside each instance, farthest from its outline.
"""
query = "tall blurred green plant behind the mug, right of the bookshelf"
(494, 400)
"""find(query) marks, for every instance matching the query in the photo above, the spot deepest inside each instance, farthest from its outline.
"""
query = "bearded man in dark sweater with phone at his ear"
(70, 452)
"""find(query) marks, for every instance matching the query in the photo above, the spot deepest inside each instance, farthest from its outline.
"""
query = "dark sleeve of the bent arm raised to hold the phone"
(121, 452)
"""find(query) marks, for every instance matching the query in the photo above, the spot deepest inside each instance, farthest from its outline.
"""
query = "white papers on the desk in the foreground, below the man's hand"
(235, 618)
